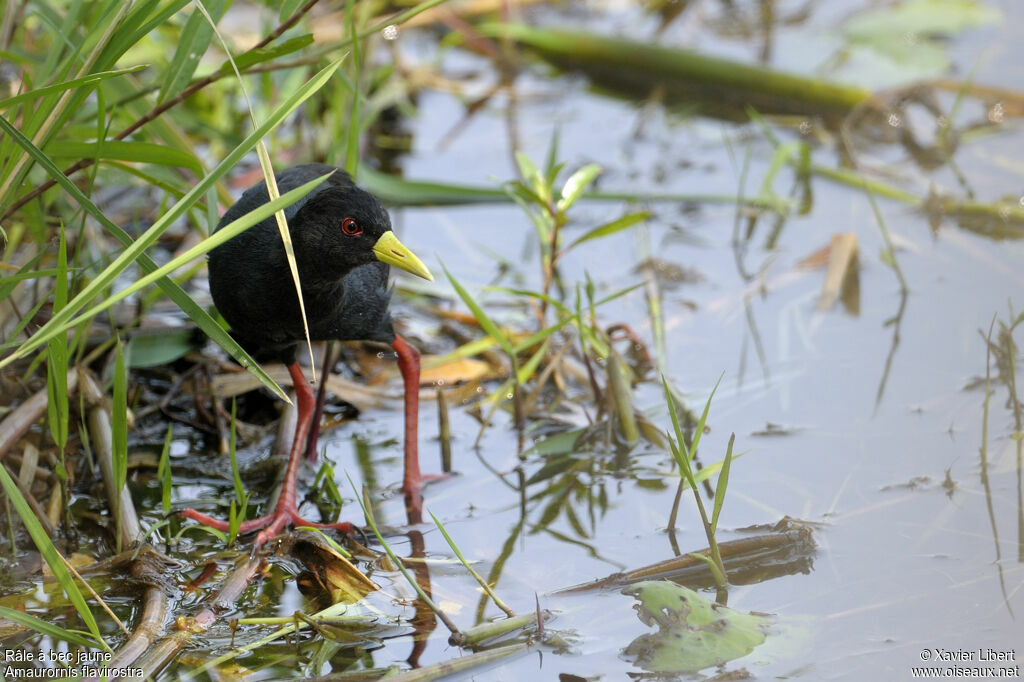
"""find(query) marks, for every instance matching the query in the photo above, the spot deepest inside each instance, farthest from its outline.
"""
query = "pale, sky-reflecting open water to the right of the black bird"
(883, 408)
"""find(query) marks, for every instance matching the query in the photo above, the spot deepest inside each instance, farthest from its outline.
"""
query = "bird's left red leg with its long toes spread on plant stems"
(286, 513)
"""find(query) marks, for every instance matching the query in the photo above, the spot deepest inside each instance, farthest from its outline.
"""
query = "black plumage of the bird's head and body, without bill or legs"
(345, 286)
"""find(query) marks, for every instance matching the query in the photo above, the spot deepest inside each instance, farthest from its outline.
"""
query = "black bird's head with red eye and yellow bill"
(343, 228)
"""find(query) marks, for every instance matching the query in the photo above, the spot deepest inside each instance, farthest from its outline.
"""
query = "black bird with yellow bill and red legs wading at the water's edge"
(344, 245)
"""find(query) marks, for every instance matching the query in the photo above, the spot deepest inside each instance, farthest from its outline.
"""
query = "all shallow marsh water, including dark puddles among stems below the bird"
(868, 421)
